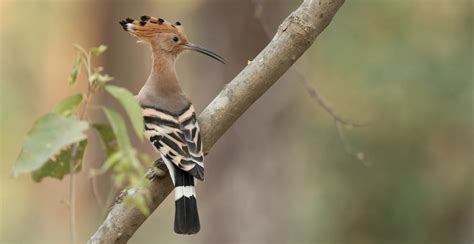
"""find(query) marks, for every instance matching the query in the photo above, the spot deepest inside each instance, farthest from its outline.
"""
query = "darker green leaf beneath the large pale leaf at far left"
(58, 166)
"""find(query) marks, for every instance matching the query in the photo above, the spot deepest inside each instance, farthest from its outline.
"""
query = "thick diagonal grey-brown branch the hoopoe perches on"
(294, 36)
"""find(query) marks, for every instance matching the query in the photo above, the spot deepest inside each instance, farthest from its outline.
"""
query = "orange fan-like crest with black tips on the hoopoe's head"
(147, 27)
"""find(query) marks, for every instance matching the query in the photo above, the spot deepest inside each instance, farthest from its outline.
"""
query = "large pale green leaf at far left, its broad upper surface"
(51, 133)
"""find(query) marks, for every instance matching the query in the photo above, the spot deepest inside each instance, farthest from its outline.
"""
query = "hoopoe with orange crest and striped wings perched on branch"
(170, 120)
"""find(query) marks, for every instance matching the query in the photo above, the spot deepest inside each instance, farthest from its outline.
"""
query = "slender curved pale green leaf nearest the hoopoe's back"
(130, 103)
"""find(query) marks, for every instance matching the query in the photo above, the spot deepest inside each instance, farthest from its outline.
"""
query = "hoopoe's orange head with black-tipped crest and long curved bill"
(163, 36)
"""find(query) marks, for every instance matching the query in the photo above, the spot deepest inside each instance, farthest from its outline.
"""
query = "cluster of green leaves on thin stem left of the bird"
(57, 140)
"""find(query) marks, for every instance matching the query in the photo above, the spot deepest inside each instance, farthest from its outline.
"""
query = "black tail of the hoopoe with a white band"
(186, 220)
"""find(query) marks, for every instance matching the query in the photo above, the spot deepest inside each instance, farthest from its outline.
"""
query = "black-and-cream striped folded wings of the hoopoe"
(177, 138)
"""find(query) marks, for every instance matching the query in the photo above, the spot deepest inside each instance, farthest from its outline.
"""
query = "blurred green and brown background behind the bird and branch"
(281, 174)
